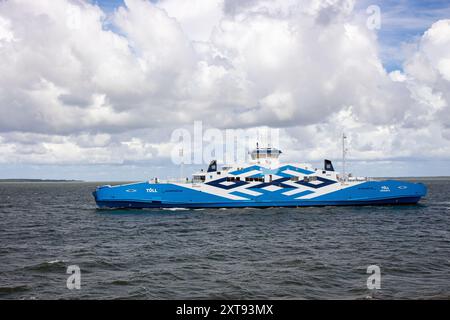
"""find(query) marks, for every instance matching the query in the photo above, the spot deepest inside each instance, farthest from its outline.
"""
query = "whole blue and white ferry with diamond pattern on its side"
(262, 183)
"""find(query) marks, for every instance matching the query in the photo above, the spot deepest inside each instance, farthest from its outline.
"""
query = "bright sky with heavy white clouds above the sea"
(94, 90)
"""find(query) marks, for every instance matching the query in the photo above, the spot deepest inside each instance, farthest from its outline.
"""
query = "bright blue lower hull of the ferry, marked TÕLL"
(150, 195)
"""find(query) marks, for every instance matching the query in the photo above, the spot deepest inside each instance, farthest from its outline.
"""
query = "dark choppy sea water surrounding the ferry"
(302, 253)
